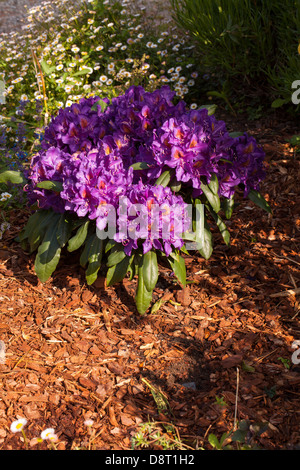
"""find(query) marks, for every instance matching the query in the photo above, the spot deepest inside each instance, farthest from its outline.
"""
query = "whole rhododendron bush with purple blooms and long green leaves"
(134, 180)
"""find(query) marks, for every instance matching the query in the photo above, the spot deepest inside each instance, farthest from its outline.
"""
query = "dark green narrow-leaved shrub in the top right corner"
(251, 43)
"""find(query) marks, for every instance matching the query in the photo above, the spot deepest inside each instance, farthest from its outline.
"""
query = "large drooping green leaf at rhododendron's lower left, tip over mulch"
(48, 254)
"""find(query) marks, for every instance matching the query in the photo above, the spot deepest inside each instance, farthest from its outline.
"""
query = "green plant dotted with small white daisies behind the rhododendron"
(89, 48)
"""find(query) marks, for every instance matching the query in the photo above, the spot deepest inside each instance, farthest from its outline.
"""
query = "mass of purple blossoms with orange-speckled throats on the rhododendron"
(89, 150)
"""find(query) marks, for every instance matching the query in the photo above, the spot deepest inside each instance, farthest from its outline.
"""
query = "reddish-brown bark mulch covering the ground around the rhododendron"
(75, 352)
